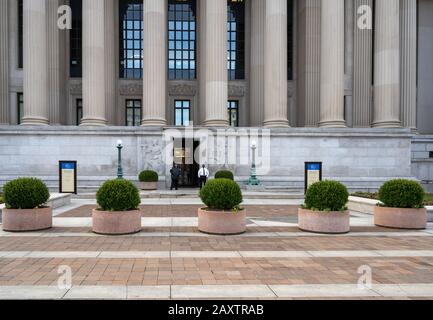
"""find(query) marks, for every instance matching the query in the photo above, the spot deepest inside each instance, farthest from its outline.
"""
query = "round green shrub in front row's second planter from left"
(118, 195)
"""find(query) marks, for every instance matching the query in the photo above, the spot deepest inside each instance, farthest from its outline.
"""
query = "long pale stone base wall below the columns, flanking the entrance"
(360, 158)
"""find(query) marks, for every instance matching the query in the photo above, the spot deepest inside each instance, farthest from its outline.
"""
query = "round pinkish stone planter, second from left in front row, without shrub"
(116, 223)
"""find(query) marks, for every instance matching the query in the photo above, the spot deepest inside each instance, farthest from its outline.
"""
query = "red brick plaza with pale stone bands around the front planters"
(171, 259)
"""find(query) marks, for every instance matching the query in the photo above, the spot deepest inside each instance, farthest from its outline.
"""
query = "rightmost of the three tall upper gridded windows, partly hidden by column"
(236, 39)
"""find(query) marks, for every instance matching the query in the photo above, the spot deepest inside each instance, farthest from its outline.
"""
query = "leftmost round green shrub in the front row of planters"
(25, 193)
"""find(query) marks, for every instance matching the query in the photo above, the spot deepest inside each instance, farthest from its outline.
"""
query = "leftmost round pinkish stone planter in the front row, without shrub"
(20, 220)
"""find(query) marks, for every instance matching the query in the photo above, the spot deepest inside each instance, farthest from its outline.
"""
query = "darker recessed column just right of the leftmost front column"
(56, 64)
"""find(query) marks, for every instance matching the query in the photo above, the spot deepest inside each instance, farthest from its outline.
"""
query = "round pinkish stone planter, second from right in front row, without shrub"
(334, 222)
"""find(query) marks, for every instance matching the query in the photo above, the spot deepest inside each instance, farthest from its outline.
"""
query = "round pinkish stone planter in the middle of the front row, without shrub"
(222, 222)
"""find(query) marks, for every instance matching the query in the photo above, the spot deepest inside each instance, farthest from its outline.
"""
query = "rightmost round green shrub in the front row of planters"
(402, 193)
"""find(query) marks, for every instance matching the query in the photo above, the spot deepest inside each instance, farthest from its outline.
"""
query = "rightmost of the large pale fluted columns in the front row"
(387, 65)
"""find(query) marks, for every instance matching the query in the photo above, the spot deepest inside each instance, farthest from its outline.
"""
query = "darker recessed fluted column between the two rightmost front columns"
(362, 71)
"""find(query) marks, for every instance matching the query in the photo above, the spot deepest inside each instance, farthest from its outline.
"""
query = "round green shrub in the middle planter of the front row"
(221, 194)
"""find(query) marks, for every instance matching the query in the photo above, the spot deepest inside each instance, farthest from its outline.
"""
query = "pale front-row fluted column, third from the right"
(276, 64)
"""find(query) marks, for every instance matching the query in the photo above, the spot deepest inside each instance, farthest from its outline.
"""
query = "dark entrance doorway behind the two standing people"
(183, 155)
